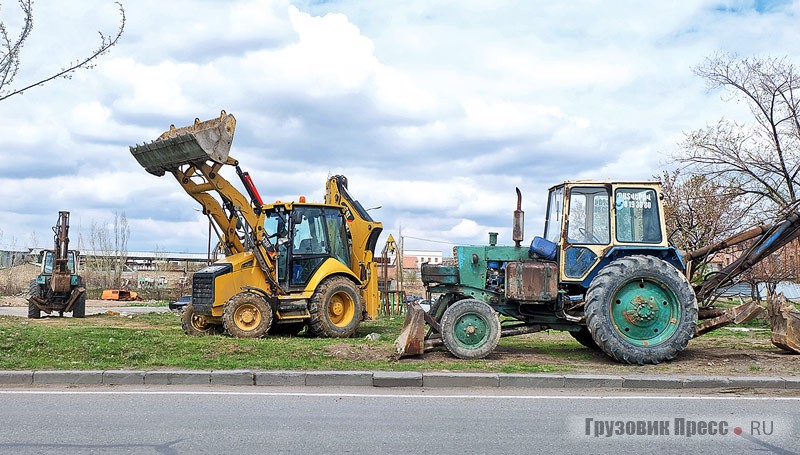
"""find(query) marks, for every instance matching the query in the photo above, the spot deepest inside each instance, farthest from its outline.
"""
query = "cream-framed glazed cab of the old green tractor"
(586, 220)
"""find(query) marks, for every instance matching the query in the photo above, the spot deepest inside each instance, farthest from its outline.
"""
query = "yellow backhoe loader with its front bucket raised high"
(287, 265)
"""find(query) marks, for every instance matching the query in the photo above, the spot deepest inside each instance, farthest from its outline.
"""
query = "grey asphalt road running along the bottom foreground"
(369, 421)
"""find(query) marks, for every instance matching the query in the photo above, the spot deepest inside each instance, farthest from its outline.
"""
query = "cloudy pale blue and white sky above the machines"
(435, 109)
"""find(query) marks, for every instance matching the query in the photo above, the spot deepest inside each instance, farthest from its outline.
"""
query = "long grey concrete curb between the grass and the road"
(389, 379)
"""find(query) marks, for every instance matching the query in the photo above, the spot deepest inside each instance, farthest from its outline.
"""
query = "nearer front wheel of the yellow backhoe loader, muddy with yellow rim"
(247, 315)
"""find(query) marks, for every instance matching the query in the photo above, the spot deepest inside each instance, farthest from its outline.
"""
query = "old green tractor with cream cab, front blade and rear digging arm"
(603, 271)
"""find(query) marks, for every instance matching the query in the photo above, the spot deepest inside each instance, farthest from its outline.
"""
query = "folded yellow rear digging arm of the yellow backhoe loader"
(364, 233)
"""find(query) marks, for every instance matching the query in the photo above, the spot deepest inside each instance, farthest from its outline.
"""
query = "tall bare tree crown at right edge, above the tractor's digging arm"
(759, 159)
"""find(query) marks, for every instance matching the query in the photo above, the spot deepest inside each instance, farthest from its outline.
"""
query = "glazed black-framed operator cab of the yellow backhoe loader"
(306, 235)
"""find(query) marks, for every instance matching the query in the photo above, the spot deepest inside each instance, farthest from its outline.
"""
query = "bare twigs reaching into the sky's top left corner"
(11, 49)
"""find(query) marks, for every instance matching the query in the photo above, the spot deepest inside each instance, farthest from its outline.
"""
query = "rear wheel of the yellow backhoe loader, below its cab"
(335, 308)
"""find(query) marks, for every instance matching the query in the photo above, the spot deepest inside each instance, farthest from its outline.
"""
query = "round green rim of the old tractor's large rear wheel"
(645, 313)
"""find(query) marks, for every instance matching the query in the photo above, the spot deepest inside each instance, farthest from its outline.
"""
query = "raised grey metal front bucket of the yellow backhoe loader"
(196, 143)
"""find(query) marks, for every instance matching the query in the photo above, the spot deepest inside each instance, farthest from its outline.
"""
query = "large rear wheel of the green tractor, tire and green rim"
(641, 309)
